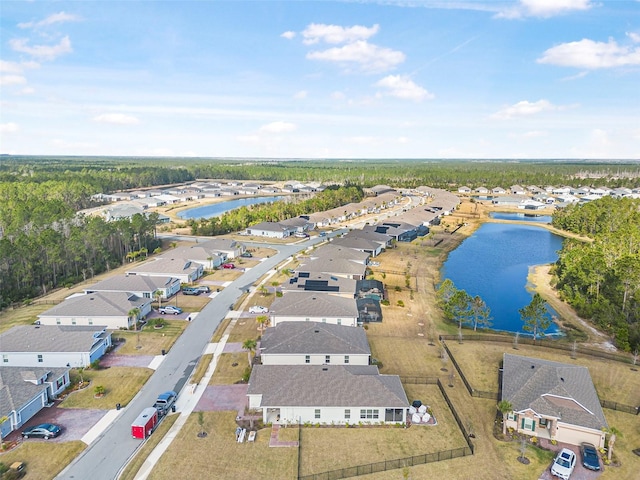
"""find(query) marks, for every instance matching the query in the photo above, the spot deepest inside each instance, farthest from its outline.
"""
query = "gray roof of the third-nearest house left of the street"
(99, 304)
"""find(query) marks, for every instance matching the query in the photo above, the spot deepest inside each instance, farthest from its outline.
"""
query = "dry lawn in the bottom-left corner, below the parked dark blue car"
(43, 460)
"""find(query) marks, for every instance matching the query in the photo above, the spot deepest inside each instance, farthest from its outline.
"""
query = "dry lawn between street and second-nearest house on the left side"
(151, 340)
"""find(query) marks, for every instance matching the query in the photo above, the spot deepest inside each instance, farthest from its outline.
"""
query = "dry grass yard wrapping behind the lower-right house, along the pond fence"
(479, 361)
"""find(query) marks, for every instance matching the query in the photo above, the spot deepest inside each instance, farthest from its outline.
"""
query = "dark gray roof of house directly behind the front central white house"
(314, 338)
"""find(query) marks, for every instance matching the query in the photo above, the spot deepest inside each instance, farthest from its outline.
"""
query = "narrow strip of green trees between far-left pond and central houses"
(243, 217)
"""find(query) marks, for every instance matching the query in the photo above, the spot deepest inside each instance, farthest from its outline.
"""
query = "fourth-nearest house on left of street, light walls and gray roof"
(142, 286)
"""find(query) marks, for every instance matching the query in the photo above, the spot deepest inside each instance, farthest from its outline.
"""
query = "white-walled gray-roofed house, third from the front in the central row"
(314, 307)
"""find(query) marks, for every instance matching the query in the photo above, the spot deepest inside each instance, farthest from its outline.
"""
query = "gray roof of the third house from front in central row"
(314, 304)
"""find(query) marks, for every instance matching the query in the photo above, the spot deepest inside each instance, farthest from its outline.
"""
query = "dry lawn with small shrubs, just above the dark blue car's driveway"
(121, 385)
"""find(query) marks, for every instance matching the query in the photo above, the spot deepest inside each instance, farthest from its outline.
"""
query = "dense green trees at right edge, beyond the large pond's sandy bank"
(601, 279)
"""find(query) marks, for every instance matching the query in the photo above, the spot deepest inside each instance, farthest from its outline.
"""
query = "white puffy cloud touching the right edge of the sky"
(590, 54)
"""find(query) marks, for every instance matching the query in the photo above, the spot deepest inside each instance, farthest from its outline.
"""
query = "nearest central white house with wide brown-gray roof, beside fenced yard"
(326, 394)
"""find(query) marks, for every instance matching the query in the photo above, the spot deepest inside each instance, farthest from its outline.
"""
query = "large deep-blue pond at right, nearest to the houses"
(494, 263)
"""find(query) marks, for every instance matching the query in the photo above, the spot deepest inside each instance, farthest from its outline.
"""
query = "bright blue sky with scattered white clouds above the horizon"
(327, 79)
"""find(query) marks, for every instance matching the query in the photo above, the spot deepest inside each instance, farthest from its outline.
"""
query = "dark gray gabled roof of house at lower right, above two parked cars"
(552, 389)
